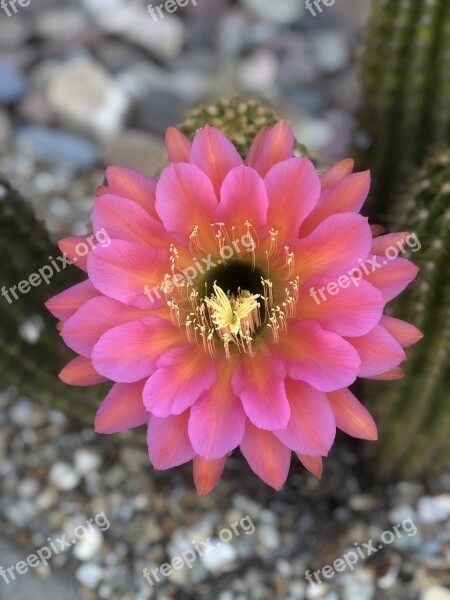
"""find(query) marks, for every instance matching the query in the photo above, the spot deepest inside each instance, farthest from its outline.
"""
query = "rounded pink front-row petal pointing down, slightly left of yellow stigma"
(217, 420)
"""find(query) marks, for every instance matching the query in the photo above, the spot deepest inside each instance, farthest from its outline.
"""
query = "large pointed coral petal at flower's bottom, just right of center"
(266, 455)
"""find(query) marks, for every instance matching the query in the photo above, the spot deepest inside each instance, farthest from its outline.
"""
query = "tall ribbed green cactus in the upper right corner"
(405, 76)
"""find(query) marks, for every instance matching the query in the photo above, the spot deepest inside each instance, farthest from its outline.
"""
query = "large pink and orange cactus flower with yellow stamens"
(234, 304)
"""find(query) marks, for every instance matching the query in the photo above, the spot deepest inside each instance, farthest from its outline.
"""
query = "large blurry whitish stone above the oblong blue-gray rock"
(85, 97)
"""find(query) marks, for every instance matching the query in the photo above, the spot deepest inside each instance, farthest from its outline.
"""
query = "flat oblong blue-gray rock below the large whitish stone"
(59, 147)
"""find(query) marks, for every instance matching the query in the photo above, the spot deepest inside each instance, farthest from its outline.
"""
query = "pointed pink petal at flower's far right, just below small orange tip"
(392, 277)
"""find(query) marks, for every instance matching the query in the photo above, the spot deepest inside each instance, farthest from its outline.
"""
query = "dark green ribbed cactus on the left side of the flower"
(31, 355)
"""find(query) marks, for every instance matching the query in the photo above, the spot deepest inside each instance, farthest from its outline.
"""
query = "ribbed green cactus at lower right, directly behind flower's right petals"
(414, 413)
